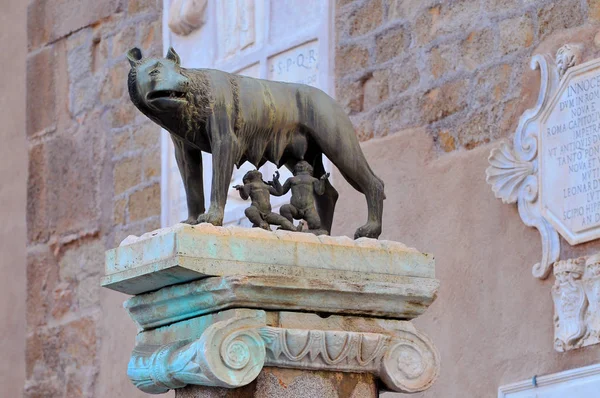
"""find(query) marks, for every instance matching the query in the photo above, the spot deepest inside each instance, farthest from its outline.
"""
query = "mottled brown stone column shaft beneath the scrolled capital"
(293, 383)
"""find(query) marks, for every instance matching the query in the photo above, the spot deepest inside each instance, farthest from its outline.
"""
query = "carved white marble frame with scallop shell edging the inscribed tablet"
(514, 171)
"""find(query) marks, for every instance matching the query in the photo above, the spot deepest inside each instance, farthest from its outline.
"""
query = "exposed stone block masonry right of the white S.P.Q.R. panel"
(454, 66)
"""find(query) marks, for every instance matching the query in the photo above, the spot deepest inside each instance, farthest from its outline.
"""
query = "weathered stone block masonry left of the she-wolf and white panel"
(94, 172)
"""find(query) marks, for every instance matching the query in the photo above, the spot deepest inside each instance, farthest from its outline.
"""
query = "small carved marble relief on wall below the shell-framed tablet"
(576, 295)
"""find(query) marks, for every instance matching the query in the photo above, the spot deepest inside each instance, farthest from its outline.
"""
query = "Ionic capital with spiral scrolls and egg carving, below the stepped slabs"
(232, 353)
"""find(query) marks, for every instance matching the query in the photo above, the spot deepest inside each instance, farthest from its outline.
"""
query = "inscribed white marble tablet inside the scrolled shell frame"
(570, 156)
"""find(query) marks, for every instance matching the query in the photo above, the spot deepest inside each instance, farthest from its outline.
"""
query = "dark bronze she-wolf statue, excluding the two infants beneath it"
(238, 119)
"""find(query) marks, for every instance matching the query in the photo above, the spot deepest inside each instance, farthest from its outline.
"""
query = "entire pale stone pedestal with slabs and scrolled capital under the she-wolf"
(274, 314)
